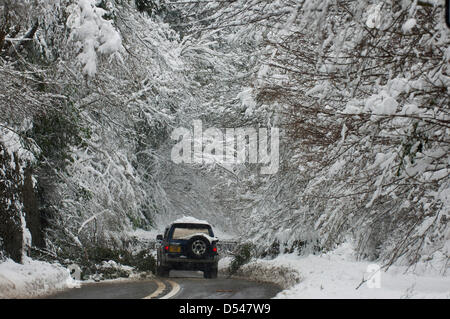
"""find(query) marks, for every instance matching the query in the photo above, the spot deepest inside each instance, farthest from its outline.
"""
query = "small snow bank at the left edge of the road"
(32, 278)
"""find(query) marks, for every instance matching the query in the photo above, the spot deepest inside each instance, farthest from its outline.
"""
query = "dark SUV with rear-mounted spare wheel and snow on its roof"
(188, 246)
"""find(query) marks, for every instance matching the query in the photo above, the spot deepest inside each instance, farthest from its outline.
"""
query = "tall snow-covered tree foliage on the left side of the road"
(96, 136)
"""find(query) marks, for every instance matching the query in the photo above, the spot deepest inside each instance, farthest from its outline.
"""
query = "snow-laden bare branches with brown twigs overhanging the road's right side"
(361, 91)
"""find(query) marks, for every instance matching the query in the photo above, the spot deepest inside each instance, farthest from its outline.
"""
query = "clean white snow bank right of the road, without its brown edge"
(338, 274)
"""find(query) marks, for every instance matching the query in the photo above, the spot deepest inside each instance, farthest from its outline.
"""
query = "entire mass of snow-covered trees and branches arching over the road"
(359, 90)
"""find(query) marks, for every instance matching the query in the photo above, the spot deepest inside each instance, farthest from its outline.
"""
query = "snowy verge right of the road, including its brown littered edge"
(339, 275)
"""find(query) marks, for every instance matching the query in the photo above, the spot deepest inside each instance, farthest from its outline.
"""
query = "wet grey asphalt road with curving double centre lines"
(190, 285)
